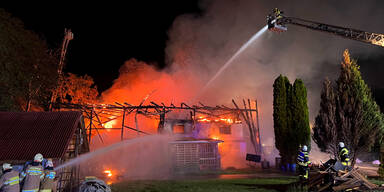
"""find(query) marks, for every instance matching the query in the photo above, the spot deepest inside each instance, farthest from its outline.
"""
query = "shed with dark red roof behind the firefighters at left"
(60, 136)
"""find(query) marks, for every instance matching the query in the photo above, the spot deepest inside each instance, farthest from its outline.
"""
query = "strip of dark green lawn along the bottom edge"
(212, 185)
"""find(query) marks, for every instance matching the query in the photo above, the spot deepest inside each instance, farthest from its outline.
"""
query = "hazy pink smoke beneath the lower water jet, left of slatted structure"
(141, 158)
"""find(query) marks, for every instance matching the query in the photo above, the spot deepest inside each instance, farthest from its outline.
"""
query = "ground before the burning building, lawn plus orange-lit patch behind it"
(232, 180)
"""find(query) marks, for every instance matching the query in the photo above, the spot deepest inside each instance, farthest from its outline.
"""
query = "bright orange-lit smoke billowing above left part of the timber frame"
(138, 80)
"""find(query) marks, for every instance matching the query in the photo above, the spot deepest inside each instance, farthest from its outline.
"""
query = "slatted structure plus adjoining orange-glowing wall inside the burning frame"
(207, 143)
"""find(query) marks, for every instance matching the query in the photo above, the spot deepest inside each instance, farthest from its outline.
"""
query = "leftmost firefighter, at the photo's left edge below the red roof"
(9, 181)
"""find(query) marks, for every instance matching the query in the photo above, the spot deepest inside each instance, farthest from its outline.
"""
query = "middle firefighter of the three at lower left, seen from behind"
(33, 174)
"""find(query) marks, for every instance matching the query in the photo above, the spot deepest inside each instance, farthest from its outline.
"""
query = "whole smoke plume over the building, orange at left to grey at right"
(200, 44)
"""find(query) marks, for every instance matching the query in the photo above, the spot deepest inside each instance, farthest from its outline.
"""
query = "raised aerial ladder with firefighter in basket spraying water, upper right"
(277, 22)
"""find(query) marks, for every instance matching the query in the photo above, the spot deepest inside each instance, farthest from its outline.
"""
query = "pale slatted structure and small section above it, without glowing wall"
(190, 153)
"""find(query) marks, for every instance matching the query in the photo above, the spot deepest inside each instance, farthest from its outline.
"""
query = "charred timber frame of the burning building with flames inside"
(201, 128)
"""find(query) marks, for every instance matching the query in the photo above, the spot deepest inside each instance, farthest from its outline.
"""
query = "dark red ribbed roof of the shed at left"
(23, 134)
